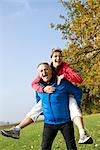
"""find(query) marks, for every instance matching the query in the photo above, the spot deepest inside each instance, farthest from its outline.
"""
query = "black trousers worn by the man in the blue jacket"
(50, 132)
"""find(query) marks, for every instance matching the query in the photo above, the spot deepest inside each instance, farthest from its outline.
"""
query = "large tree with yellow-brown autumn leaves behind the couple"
(81, 30)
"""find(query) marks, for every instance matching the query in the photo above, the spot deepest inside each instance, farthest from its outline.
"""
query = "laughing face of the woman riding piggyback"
(56, 59)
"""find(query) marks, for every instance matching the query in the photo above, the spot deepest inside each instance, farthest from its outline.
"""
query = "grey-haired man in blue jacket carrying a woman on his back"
(55, 107)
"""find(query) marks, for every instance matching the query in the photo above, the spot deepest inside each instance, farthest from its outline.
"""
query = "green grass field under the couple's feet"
(31, 137)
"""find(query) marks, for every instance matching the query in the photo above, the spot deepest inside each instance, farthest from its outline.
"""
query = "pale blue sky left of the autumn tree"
(26, 40)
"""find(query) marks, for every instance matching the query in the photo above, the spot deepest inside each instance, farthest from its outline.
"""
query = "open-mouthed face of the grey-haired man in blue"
(45, 72)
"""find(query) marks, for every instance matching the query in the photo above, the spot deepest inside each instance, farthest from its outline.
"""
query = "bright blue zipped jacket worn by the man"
(55, 106)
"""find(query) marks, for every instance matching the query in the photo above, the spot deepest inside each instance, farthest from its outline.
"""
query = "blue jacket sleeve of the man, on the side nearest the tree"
(75, 91)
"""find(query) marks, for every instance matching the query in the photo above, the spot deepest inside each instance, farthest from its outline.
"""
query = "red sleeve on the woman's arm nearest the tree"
(71, 75)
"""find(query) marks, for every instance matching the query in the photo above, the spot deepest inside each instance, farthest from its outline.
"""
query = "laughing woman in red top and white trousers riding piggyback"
(59, 68)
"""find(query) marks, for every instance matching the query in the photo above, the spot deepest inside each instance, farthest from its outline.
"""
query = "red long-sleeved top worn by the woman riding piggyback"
(64, 68)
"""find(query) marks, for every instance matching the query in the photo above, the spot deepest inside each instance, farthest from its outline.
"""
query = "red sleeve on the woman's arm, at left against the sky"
(36, 86)
